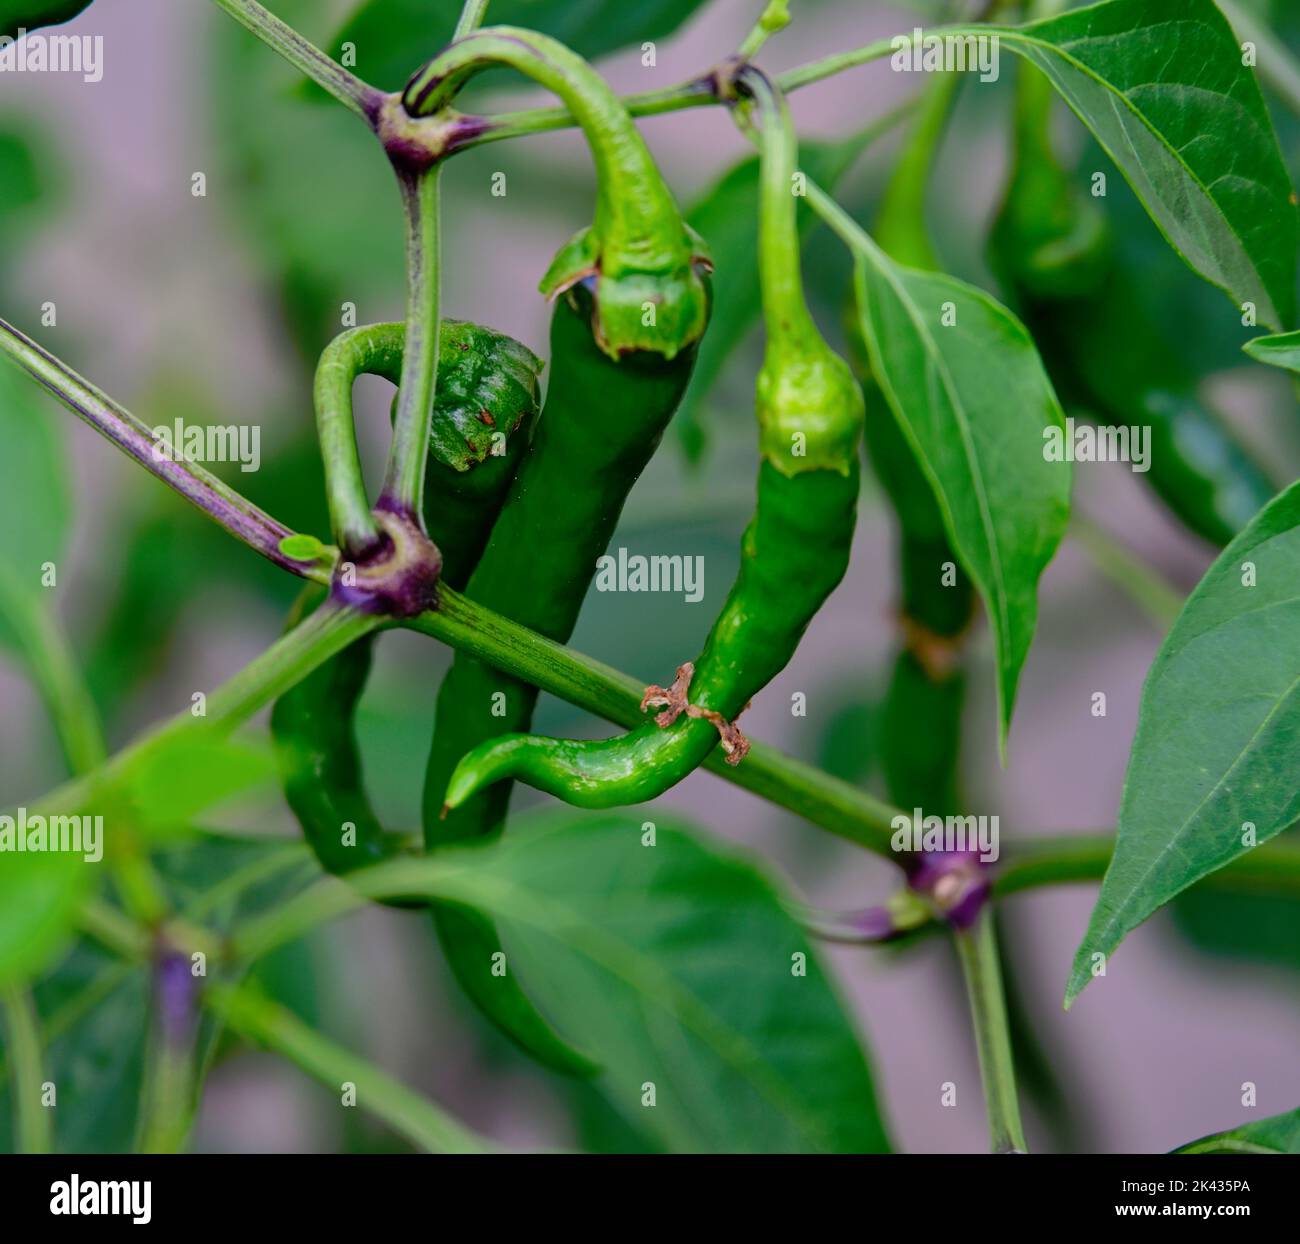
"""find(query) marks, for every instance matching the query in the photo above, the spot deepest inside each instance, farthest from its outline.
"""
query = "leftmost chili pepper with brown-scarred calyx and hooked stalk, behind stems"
(487, 396)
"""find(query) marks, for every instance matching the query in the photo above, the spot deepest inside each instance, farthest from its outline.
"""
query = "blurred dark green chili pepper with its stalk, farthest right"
(1051, 246)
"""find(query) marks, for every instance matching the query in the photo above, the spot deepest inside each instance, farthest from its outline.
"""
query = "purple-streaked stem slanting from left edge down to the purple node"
(214, 497)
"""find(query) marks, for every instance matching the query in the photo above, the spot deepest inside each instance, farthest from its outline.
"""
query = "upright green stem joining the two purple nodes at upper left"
(409, 452)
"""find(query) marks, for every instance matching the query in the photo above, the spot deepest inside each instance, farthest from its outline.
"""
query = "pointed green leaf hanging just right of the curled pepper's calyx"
(977, 408)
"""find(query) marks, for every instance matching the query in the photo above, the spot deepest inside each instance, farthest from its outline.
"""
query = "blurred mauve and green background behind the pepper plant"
(215, 309)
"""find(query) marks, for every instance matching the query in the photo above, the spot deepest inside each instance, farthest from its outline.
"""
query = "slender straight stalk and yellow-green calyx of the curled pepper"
(811, 409)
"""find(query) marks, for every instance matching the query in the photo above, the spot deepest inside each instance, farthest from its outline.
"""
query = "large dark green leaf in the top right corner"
(1162, 86)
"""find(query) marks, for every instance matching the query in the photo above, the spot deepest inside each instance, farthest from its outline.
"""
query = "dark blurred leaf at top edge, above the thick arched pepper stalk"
(395, 38)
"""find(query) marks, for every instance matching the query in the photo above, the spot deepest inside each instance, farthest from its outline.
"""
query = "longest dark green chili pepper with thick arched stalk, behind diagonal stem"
(631, 306)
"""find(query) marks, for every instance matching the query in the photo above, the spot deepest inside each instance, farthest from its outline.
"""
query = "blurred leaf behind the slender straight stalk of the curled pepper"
(726, 216)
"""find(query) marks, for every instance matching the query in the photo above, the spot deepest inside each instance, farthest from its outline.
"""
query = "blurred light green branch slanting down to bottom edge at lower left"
(259, 1020)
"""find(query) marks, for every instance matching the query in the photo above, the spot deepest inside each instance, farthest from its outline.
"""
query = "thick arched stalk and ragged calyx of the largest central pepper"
(645, 263)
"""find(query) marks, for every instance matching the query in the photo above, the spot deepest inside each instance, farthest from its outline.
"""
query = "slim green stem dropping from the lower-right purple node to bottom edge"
(977, 950)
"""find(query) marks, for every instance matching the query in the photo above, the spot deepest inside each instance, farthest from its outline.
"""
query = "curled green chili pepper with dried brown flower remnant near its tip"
(794, 554)
